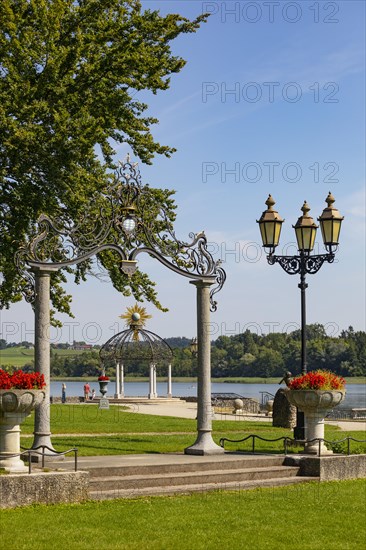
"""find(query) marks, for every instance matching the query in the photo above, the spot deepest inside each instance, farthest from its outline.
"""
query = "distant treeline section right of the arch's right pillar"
(271, 355)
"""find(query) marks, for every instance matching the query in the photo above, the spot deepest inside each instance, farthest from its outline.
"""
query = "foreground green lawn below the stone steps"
(314, 516)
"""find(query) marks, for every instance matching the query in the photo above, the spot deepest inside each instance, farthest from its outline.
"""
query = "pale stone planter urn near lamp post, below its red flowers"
(315, 404)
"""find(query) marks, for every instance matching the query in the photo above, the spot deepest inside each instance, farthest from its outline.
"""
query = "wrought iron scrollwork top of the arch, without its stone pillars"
(58, 243)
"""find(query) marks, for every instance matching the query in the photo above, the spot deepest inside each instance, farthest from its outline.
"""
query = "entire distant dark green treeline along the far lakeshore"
(246, 354)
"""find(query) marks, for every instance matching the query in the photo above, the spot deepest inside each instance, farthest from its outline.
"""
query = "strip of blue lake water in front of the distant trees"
(355, 396)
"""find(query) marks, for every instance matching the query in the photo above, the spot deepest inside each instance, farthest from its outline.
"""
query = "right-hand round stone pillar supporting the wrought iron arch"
(204, 444)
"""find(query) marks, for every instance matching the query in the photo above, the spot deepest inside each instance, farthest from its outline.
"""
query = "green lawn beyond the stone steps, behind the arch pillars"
(117, 431)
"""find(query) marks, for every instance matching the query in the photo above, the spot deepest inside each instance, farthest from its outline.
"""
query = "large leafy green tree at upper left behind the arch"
(70, 73)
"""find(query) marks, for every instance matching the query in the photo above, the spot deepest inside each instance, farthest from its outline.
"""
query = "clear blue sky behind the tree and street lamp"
(271, 101)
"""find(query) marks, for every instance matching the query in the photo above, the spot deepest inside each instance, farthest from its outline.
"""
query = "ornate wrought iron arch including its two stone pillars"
(124, 219)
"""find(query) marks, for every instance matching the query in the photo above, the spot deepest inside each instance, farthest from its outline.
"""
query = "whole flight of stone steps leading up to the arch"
(129, 476)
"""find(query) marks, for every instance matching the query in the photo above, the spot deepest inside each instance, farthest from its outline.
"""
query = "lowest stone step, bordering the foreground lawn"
(206, 487)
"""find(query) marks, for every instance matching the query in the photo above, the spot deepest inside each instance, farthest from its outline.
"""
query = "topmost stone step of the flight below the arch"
(202, 465)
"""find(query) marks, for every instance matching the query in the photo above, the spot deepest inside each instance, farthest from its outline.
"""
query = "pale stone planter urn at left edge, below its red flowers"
(15, 406)
